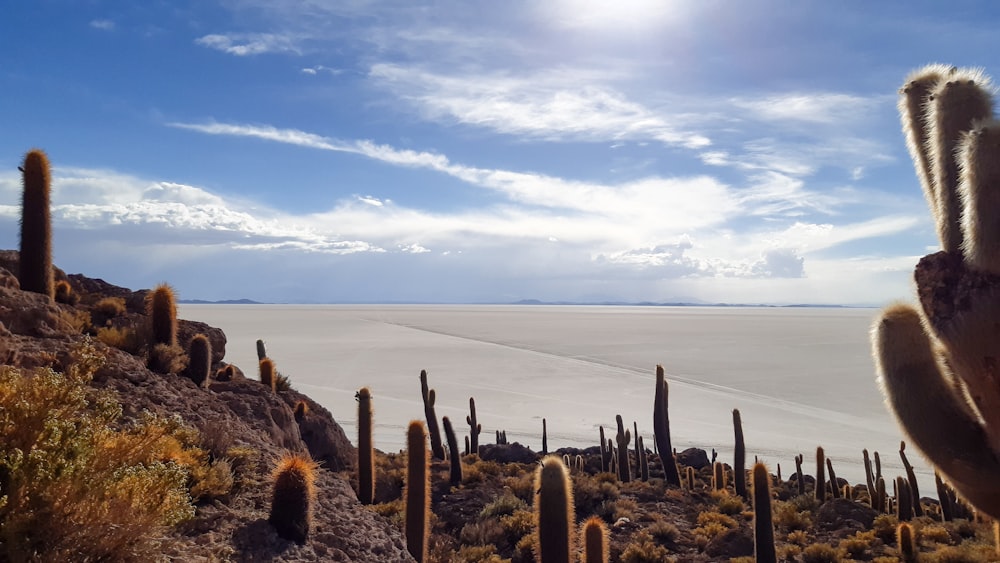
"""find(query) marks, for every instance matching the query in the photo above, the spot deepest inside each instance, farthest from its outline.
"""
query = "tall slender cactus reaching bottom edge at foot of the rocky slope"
(418, 491)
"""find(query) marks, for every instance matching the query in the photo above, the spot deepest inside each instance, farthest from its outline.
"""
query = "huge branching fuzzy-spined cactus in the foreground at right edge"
(938, 366)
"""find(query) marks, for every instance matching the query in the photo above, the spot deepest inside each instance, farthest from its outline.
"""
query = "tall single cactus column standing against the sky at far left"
(35, 257)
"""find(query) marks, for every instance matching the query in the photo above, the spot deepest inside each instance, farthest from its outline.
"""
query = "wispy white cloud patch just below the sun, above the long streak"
(551, 105)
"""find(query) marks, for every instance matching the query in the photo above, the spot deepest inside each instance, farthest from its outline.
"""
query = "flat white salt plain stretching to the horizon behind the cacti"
(801, 377)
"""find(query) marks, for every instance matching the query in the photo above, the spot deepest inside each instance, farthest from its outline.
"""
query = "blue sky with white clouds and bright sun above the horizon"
(352, 151)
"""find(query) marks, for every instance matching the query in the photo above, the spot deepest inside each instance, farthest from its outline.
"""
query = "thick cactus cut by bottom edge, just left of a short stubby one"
(554, 512)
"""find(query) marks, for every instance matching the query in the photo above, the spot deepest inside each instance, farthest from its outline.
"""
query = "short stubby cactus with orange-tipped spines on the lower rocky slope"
(292, 497)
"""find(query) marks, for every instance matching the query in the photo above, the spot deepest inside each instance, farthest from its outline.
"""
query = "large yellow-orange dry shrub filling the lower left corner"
(75, 487)
